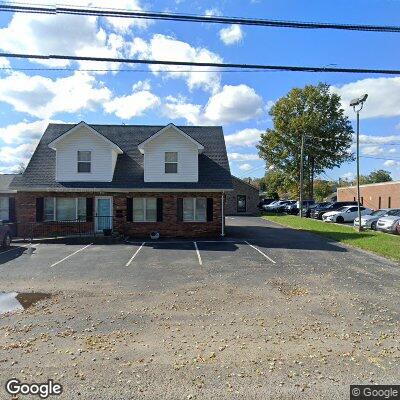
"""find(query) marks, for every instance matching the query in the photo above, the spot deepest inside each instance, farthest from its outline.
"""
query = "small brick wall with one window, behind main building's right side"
(242, 188)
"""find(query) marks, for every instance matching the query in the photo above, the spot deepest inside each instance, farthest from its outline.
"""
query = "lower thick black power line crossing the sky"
(204, 64)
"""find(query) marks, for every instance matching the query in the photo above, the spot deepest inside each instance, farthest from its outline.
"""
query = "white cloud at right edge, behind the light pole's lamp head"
(383, 96)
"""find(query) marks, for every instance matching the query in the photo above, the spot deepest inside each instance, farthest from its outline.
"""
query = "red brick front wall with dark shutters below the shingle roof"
(169, 227)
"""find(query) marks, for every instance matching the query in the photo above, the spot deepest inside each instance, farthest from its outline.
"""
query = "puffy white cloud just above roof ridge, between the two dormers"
(134, 105)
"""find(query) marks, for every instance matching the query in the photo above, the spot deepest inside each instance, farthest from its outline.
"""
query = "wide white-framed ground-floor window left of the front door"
(64, 209)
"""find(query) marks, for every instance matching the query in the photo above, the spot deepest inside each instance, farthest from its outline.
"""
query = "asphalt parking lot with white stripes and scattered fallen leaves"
(265, 312)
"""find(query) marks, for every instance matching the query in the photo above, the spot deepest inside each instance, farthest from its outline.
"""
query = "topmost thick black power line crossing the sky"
(102, 12)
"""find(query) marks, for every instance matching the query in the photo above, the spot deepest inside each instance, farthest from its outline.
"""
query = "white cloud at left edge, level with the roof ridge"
(24, 132)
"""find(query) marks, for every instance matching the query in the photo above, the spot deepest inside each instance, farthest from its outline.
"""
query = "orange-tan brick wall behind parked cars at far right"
(373, 196)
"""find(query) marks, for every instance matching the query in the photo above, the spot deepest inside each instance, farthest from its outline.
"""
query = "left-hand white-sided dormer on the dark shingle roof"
(103, 156)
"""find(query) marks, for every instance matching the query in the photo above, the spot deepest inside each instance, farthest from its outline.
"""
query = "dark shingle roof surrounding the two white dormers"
(214, 170)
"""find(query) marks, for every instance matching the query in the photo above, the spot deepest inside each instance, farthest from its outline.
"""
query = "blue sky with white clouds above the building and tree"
(239, 101)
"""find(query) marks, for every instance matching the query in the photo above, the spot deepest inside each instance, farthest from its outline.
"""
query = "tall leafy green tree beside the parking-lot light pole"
(316, 113)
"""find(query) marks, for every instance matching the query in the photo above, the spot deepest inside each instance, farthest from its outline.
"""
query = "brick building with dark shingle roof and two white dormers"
(132, 179)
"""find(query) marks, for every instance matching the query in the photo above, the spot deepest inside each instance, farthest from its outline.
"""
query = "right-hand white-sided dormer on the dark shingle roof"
(170, 141)
